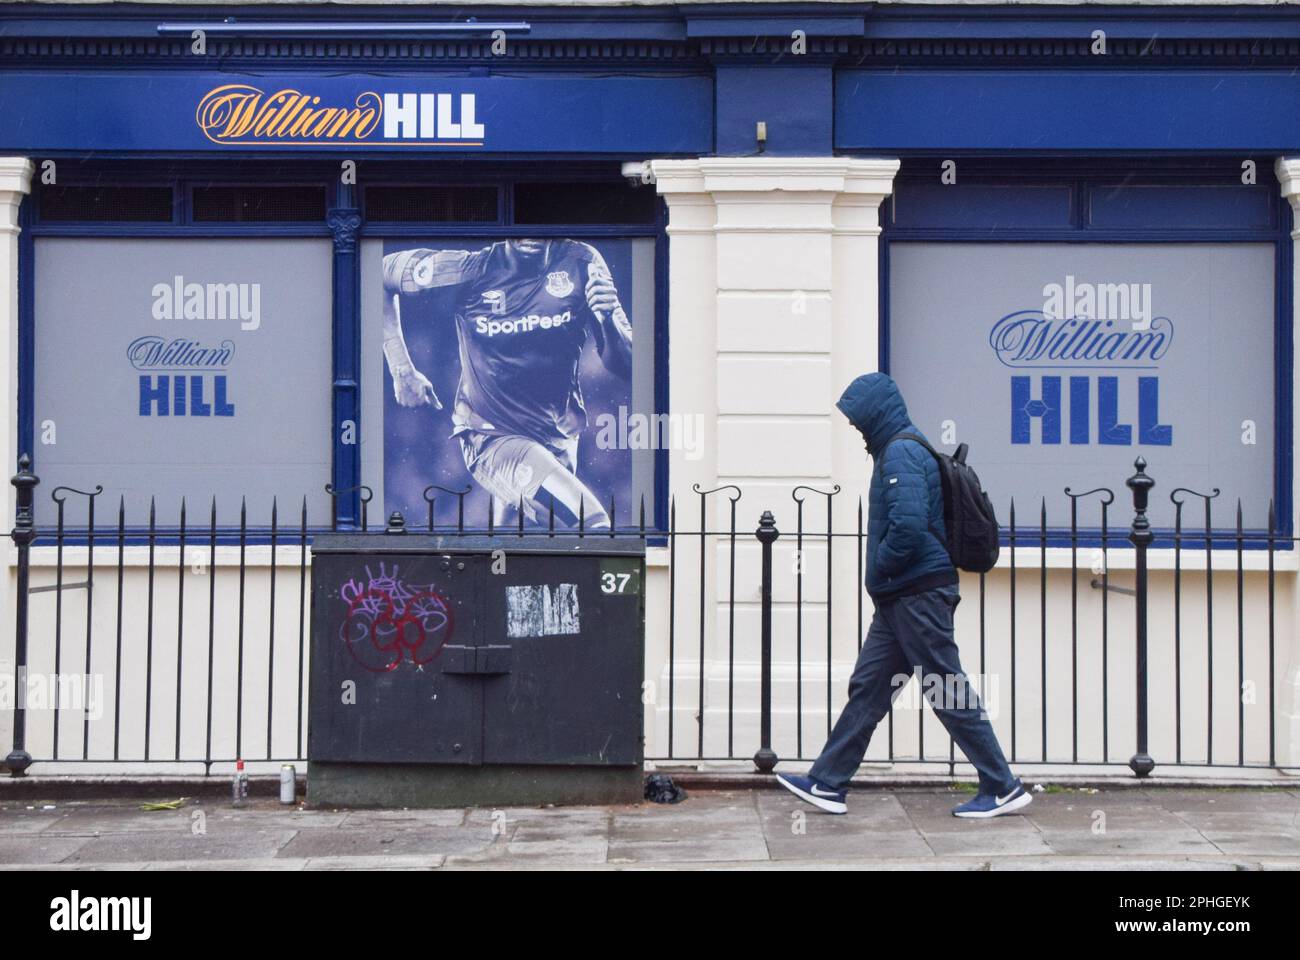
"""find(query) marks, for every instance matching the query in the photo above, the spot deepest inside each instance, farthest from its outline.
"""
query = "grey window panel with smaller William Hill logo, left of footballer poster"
(197, 369)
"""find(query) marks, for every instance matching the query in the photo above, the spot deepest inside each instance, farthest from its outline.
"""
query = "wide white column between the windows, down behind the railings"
(774, 309)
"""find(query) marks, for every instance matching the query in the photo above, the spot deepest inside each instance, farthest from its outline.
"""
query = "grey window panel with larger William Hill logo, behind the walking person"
(1060, 365)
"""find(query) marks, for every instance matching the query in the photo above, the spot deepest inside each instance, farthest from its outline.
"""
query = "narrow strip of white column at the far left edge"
(15, 184)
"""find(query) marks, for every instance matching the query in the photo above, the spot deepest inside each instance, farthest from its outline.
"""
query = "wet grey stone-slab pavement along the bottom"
(1065, 829)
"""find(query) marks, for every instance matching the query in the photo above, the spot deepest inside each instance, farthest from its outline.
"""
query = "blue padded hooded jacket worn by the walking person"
(907, 544)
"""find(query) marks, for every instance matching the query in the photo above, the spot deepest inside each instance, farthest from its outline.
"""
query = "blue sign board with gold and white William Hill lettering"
(137, 113)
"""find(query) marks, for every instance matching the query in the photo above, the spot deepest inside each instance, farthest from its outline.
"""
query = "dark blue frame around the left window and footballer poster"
(181, 178)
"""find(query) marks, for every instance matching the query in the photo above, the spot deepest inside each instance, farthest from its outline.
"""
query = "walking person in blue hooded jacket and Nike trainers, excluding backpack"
(913, 585)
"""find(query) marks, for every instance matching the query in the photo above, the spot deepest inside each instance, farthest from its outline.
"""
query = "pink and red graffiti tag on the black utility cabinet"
(391, 622)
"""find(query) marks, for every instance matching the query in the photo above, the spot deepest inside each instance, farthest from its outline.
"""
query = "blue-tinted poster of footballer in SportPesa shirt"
(500, 360)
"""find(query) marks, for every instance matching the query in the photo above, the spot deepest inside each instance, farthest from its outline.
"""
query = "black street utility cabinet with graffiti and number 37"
(465, 671)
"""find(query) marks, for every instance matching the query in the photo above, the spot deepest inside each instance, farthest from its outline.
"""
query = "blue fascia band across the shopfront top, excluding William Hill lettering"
(674, 80)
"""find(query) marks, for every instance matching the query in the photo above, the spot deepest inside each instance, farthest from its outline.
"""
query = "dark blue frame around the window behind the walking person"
(990, 223)
